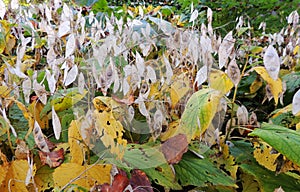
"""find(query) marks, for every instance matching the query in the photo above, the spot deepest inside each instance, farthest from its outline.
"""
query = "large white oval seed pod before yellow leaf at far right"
(272, 62)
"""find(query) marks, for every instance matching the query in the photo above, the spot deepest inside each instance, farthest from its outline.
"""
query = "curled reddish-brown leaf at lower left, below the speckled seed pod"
(53, 158)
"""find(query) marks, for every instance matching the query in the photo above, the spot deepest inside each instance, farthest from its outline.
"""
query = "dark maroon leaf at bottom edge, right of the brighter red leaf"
(140, 182)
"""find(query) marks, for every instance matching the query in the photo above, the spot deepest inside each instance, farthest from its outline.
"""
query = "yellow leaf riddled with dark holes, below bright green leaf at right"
(262, 154)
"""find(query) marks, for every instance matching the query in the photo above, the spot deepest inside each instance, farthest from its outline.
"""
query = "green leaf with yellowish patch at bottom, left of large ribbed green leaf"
(164, 176)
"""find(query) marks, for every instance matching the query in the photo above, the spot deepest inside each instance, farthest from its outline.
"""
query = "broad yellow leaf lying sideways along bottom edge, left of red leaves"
(84, 176)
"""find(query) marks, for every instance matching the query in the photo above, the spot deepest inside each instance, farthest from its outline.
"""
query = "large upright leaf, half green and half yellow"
(201, 107)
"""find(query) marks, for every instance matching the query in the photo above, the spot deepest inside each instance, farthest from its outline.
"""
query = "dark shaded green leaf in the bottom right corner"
(268, 181)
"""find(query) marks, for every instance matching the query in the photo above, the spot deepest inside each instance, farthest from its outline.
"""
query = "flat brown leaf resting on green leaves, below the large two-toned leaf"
(174, 148)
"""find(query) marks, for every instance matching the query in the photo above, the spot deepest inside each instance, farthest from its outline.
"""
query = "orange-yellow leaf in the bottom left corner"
(16, 175)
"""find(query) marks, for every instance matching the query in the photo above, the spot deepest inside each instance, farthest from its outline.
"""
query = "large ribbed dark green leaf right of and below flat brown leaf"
(199, 172)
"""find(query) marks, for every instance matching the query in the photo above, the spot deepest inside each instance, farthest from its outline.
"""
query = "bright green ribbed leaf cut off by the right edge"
(282, 139)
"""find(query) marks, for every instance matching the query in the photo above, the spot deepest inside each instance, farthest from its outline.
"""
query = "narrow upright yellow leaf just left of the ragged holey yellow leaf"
(74, 139)
